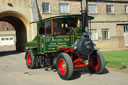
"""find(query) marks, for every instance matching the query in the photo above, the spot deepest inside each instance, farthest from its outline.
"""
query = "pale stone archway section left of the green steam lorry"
(18, 14)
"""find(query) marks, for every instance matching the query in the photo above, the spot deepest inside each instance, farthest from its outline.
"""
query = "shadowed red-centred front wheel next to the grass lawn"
(97, 62)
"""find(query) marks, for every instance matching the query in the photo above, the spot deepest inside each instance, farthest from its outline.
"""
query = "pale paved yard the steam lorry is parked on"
(13, 71)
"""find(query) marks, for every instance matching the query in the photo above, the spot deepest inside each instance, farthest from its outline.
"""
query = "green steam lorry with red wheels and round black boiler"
(63, 44)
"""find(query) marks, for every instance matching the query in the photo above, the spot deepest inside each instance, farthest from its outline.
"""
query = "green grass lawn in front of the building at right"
(118, 58)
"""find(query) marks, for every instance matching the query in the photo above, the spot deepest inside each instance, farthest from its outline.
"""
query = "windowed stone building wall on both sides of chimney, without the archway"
(110, 26)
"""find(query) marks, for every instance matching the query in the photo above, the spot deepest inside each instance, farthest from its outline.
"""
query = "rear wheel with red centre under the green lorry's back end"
(30, 60)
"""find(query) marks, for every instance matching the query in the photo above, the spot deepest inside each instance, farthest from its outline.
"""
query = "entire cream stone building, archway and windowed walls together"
(109, 28)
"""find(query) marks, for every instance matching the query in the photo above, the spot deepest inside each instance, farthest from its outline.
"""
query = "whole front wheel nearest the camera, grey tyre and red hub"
(64, 66)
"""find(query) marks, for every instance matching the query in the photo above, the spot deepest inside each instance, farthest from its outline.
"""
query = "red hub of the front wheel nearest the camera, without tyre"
(62, 66)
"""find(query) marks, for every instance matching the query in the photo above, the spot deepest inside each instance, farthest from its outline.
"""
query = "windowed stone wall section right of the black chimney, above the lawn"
(110, 25)
